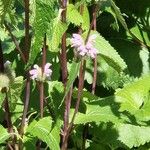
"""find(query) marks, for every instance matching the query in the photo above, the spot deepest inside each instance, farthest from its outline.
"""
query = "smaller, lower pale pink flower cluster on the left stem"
(36, 73)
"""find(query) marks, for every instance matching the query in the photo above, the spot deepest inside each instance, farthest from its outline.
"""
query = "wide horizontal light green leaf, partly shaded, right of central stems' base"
(101, 110)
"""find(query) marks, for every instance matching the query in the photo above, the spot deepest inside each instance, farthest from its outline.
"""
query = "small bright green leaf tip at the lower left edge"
(4, 135)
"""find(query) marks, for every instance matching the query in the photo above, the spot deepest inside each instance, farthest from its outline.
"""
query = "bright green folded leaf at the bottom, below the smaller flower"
(43, 130)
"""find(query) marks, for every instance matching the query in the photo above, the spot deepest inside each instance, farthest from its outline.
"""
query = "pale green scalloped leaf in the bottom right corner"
(132, 135)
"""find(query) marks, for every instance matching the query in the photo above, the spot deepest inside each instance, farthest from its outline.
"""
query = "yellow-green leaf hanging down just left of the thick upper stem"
(59, 29)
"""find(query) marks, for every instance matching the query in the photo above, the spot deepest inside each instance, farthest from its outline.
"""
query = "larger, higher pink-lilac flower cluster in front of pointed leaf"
(82, 48)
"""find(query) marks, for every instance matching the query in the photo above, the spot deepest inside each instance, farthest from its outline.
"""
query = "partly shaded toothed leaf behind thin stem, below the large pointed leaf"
(106, 74)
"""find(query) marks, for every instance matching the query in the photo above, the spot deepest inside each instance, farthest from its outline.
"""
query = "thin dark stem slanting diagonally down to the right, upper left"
(15, 42)
